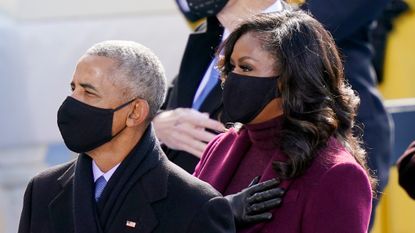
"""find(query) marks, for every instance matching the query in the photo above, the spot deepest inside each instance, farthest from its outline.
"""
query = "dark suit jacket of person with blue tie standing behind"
(199, 53)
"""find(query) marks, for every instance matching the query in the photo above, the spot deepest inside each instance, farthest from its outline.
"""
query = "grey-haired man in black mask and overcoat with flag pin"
(121, 180)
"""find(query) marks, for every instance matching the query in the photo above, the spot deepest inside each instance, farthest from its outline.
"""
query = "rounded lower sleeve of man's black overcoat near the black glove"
(214, 217)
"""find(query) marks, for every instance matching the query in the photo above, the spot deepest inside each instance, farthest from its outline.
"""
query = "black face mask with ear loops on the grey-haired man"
(84, 127)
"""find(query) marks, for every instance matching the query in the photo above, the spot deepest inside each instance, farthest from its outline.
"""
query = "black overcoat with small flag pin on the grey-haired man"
(158, 197)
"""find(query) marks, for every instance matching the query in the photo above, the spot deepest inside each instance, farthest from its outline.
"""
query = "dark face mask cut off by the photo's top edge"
(199, 9)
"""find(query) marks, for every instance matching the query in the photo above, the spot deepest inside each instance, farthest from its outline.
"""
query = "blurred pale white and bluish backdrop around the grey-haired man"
(40, 40)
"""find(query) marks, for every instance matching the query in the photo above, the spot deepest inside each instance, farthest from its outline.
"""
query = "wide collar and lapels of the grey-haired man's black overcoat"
(134, 203)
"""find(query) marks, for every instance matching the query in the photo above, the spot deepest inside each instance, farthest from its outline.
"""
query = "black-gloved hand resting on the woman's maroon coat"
(252, 204)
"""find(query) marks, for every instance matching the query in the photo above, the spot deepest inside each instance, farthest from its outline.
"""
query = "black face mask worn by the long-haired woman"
(244, 97)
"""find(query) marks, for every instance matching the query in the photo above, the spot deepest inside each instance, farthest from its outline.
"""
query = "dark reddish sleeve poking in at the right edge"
(406, 170)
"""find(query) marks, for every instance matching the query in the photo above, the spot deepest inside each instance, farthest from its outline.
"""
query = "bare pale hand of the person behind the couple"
(185, 129)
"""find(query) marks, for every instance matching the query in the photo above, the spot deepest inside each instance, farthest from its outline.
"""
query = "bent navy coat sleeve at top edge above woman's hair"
(343, 18)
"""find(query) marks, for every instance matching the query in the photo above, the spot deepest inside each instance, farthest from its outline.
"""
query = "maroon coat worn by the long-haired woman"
(333, 195)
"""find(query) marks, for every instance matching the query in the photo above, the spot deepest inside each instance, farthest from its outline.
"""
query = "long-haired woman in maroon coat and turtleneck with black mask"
(283, 82)
